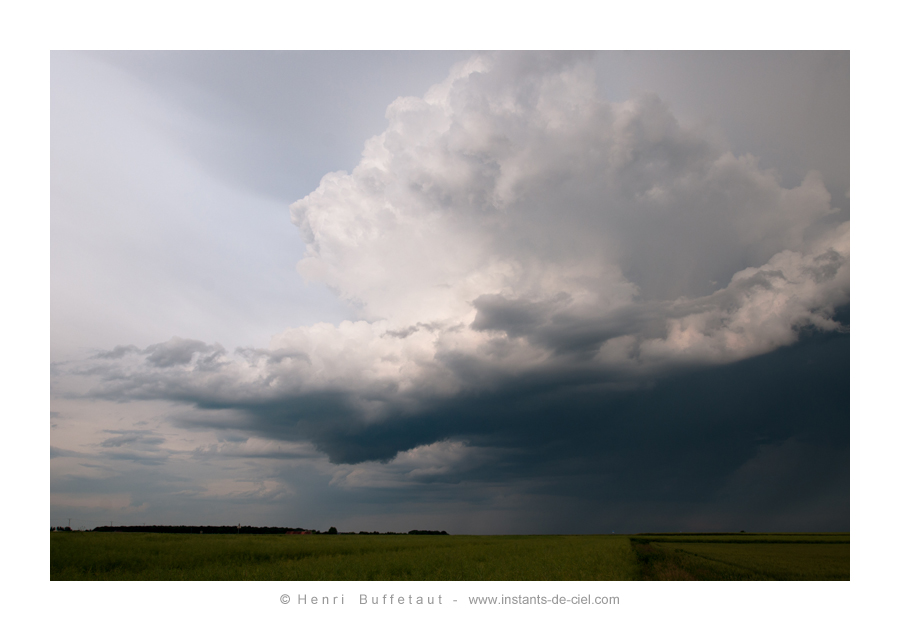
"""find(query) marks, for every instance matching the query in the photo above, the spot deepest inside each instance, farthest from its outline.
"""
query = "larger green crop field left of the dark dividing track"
(169, 557)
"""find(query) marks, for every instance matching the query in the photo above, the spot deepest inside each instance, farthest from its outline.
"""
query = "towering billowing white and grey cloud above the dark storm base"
(512, 222)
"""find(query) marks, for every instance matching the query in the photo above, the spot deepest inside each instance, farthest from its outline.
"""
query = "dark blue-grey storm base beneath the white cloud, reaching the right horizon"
(762, 444)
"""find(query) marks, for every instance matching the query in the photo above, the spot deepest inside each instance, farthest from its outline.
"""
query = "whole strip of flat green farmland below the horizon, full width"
(172, 557)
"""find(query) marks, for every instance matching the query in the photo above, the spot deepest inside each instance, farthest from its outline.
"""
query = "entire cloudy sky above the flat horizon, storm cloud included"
(485, 293)
